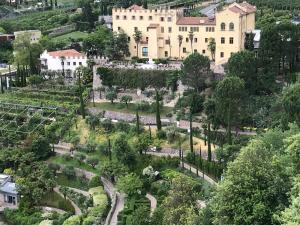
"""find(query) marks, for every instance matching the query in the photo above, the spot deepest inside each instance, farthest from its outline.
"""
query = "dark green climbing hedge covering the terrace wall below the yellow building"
(133, 78)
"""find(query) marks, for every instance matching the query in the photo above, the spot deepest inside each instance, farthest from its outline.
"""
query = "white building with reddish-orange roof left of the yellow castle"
(65, 60)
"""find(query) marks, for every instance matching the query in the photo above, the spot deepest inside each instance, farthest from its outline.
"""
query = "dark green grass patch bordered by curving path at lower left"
(53, 199)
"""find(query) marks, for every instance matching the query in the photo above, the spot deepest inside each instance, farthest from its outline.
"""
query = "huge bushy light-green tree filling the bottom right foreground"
(242, 197)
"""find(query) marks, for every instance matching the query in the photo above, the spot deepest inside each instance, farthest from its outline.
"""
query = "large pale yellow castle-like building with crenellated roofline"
(161, 29)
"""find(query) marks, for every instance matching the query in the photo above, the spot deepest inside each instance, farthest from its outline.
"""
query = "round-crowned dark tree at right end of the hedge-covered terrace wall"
(195, 70)
